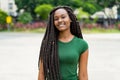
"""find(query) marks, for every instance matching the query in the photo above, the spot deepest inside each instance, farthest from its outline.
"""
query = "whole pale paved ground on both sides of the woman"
(19, 55)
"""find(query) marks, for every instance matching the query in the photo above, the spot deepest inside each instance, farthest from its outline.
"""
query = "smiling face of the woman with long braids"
(62, 20)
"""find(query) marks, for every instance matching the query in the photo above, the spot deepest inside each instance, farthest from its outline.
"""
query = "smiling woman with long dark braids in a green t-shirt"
(64, 53)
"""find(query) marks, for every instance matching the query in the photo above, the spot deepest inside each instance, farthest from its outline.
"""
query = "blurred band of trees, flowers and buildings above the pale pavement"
(31, 15)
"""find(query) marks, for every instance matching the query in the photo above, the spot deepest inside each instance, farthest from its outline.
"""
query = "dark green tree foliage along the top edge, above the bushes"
(90, 6)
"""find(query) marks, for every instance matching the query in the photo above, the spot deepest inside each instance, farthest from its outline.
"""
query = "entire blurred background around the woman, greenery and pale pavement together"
(22, 27)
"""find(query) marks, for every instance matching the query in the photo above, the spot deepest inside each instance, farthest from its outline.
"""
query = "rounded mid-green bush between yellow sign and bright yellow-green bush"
(25, 18)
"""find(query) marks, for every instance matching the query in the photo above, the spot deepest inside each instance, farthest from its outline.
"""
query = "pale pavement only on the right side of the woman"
(104, 57)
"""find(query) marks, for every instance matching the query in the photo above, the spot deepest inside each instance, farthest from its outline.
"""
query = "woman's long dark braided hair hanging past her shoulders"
(49, 47)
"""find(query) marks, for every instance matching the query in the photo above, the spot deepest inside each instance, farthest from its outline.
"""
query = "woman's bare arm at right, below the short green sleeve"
(83, 61)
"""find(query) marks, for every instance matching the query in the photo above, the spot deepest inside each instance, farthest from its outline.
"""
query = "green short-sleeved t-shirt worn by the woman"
(69, 53)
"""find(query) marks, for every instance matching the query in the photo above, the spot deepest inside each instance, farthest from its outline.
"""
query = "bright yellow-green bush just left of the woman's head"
(43, 11)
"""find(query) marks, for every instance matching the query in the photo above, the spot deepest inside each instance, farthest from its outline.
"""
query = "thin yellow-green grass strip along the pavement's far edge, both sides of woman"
(85, 30)
